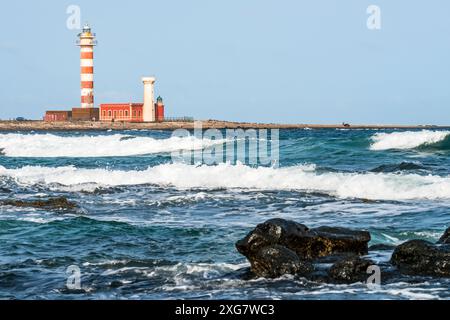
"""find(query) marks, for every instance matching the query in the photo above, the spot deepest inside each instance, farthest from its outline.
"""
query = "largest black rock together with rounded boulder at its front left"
(279, 246)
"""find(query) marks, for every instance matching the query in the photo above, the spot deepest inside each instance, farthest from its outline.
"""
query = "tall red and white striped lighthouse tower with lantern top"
(87, 42)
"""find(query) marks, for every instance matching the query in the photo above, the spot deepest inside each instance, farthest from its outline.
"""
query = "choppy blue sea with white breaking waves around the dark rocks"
(148, 226)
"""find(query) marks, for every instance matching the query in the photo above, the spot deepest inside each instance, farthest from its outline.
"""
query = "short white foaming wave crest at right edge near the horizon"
(406, 139)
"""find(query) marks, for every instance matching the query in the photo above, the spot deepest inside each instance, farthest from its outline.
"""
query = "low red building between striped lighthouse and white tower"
(128, 112)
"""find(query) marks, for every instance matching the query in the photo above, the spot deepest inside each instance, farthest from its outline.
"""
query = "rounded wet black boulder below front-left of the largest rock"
(275, 261)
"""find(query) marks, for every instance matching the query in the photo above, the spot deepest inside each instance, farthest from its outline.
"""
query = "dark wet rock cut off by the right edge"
(419, 257)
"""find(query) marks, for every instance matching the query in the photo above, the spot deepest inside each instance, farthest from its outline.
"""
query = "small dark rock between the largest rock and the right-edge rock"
(350, 270)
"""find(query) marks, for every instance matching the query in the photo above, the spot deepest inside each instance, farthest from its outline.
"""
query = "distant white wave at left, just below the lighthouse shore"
(117, 145)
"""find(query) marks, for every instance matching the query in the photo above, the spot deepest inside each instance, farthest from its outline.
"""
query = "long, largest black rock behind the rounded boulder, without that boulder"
(307, 243)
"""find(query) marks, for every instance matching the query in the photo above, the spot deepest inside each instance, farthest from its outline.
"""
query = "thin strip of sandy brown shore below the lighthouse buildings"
(207, 124)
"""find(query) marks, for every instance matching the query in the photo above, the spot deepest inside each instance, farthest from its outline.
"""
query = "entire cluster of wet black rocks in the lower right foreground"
(337, 255)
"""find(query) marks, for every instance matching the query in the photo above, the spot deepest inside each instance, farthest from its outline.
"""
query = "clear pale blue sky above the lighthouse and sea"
(254, 60)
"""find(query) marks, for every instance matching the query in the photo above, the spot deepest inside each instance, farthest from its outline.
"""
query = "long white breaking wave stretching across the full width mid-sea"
(374, 186)
